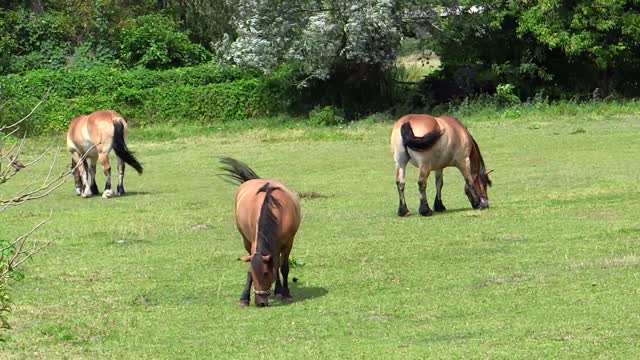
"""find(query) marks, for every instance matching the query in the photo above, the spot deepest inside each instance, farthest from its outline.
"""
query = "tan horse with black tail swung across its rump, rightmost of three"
(431, 144)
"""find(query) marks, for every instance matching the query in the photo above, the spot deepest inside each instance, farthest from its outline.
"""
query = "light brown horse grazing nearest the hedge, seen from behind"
(92, 137)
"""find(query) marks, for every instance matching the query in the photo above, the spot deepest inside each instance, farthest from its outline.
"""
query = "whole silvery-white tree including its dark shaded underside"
(344, 47)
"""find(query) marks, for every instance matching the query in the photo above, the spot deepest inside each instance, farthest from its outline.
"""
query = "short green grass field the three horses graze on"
(551, 270)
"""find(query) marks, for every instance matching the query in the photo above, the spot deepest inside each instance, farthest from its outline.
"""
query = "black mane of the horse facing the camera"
(267, 222)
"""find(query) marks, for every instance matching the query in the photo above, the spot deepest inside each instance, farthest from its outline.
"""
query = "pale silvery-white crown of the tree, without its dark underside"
(318, 36)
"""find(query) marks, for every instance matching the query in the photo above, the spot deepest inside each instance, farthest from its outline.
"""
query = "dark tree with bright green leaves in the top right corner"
(554, 46)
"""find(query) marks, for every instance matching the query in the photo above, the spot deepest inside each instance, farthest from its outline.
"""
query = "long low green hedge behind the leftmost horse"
(203, 94)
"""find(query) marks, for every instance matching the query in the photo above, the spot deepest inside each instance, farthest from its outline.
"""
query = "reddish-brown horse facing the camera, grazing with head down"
(267, 217)
